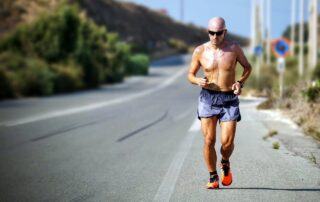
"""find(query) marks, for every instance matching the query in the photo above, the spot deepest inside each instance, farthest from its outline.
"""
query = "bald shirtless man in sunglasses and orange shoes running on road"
(218, 98)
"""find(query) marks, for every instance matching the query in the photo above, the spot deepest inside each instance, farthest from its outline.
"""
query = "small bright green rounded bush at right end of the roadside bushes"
(138, 64)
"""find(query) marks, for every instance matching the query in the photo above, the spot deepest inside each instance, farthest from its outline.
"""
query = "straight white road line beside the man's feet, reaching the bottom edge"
(169, 181)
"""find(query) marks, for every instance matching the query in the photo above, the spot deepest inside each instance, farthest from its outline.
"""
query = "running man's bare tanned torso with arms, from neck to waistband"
(218, 65)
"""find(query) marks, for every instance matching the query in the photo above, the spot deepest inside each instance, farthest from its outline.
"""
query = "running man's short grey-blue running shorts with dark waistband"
(224, 105)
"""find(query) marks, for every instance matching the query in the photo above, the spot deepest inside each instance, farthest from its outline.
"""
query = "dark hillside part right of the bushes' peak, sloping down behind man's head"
(142, 25)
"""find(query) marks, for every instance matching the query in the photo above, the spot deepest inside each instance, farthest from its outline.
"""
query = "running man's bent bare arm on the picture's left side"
(194, 67)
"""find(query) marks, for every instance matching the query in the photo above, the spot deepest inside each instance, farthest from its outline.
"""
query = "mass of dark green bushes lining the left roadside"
(61, 52)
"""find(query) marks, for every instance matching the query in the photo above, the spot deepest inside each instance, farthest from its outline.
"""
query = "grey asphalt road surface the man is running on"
(138, 141)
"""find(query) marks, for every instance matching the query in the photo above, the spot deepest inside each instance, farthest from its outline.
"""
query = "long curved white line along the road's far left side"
(89, 107)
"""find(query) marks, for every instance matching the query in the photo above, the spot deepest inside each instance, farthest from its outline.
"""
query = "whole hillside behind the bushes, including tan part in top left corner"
(149, 30)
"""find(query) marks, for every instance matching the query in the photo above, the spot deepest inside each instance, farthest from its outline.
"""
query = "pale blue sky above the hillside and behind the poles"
(237, 13)
